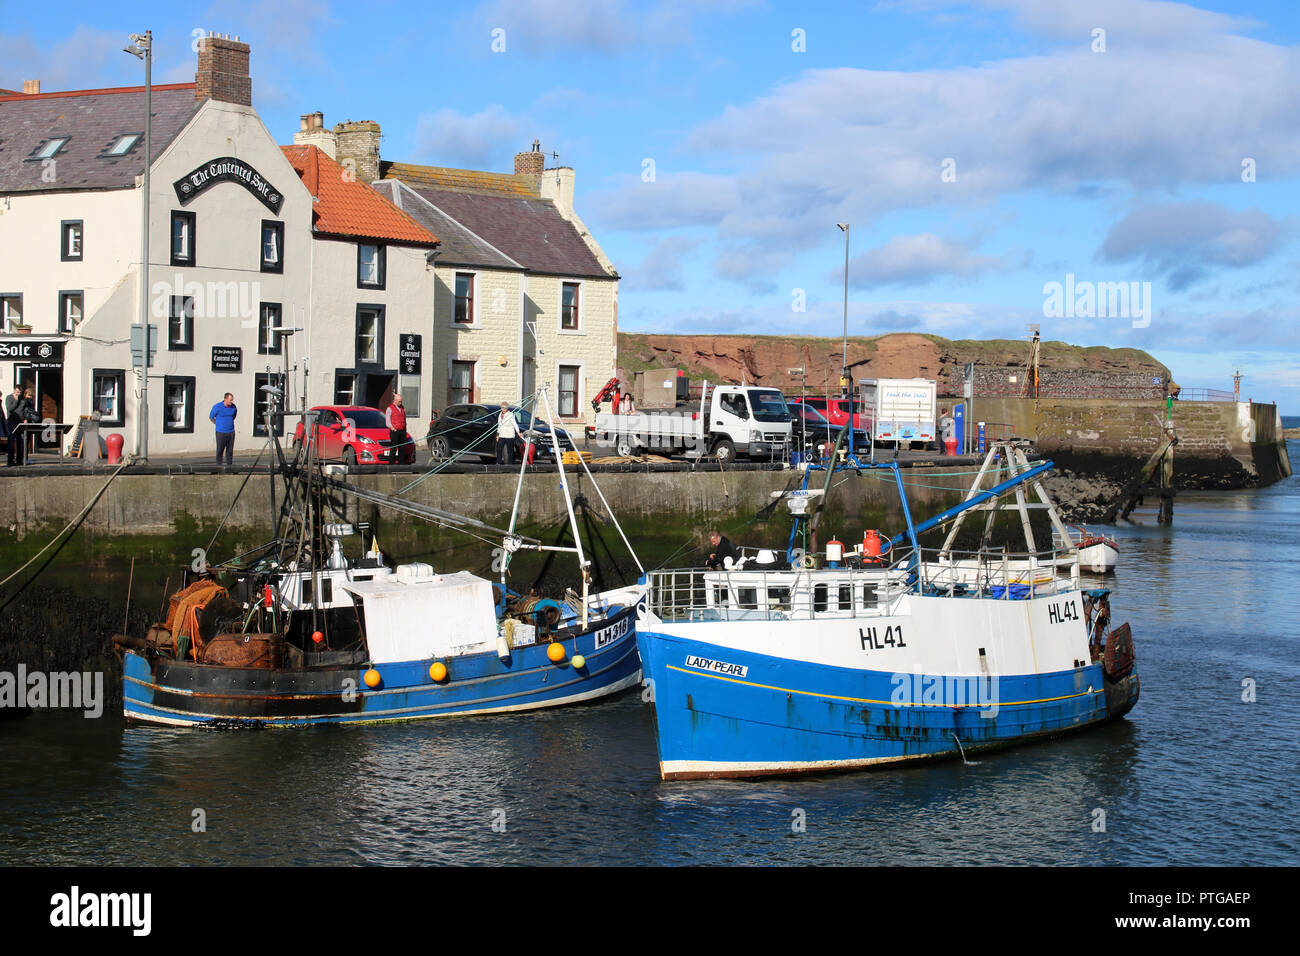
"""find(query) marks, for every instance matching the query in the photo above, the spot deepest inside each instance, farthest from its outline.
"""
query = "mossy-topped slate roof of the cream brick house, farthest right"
(505, 211)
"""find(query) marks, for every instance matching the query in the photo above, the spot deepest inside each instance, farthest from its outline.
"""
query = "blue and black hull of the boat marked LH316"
(185, 694)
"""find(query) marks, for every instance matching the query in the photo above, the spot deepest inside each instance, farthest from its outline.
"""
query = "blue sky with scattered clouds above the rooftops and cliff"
(1120, 172)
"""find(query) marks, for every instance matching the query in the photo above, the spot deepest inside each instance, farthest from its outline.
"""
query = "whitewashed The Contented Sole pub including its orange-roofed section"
(245, 237)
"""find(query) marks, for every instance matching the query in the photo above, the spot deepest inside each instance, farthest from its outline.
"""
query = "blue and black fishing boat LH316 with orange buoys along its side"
(305, 635)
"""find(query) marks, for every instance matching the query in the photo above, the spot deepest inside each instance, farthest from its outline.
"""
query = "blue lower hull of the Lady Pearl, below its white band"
(722, 712)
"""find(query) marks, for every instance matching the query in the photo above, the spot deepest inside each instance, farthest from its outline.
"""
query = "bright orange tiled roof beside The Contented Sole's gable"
(349, 207)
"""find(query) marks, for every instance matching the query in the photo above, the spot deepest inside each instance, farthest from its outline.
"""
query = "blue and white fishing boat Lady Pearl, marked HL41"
(895, 654)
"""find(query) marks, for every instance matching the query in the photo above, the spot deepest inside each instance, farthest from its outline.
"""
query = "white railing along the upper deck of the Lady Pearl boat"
(861, 591)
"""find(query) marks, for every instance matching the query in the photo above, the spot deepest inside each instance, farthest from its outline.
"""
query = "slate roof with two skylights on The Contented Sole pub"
(92, 120)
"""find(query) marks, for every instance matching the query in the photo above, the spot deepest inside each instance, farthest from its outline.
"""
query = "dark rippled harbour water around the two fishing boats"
(1199, 775)
